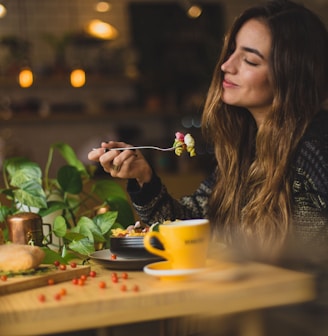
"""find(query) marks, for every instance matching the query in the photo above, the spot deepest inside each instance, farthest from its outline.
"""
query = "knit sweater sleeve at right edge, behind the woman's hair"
(310, 185)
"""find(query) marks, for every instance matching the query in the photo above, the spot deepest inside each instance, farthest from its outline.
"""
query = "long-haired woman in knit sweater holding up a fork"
(264, 115)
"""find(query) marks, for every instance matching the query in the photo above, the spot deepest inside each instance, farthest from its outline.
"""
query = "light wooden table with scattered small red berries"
(89, 306)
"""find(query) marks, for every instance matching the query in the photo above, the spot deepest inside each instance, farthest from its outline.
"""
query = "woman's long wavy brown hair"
(251, 204)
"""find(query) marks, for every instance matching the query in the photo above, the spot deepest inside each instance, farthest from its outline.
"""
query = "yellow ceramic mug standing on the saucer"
(185, 243)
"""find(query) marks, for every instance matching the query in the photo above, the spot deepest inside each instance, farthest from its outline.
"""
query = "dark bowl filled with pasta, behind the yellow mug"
(129, 243)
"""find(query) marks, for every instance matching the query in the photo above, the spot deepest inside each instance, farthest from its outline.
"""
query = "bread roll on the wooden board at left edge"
(18, 257)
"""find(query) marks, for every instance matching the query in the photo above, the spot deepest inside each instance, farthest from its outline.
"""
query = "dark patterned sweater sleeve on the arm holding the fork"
(153, 202)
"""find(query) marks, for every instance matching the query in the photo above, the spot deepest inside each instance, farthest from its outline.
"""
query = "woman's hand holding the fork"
(122, 164)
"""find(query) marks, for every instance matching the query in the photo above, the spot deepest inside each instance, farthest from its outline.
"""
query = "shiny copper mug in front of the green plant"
(26, 228)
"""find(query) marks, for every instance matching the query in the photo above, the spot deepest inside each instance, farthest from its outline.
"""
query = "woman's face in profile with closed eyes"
(246, 72)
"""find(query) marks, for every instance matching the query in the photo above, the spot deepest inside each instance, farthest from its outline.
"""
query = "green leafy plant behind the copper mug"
(75, 195)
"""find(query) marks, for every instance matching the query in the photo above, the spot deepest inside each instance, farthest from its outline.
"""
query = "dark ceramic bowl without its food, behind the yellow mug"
(132, 247)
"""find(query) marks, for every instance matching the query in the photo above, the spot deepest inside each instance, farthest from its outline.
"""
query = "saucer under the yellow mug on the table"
(164, 271)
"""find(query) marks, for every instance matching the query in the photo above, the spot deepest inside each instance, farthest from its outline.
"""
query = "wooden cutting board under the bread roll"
(23, 282)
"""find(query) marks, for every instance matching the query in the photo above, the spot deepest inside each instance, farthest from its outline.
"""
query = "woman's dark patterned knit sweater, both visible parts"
(153, 203)
